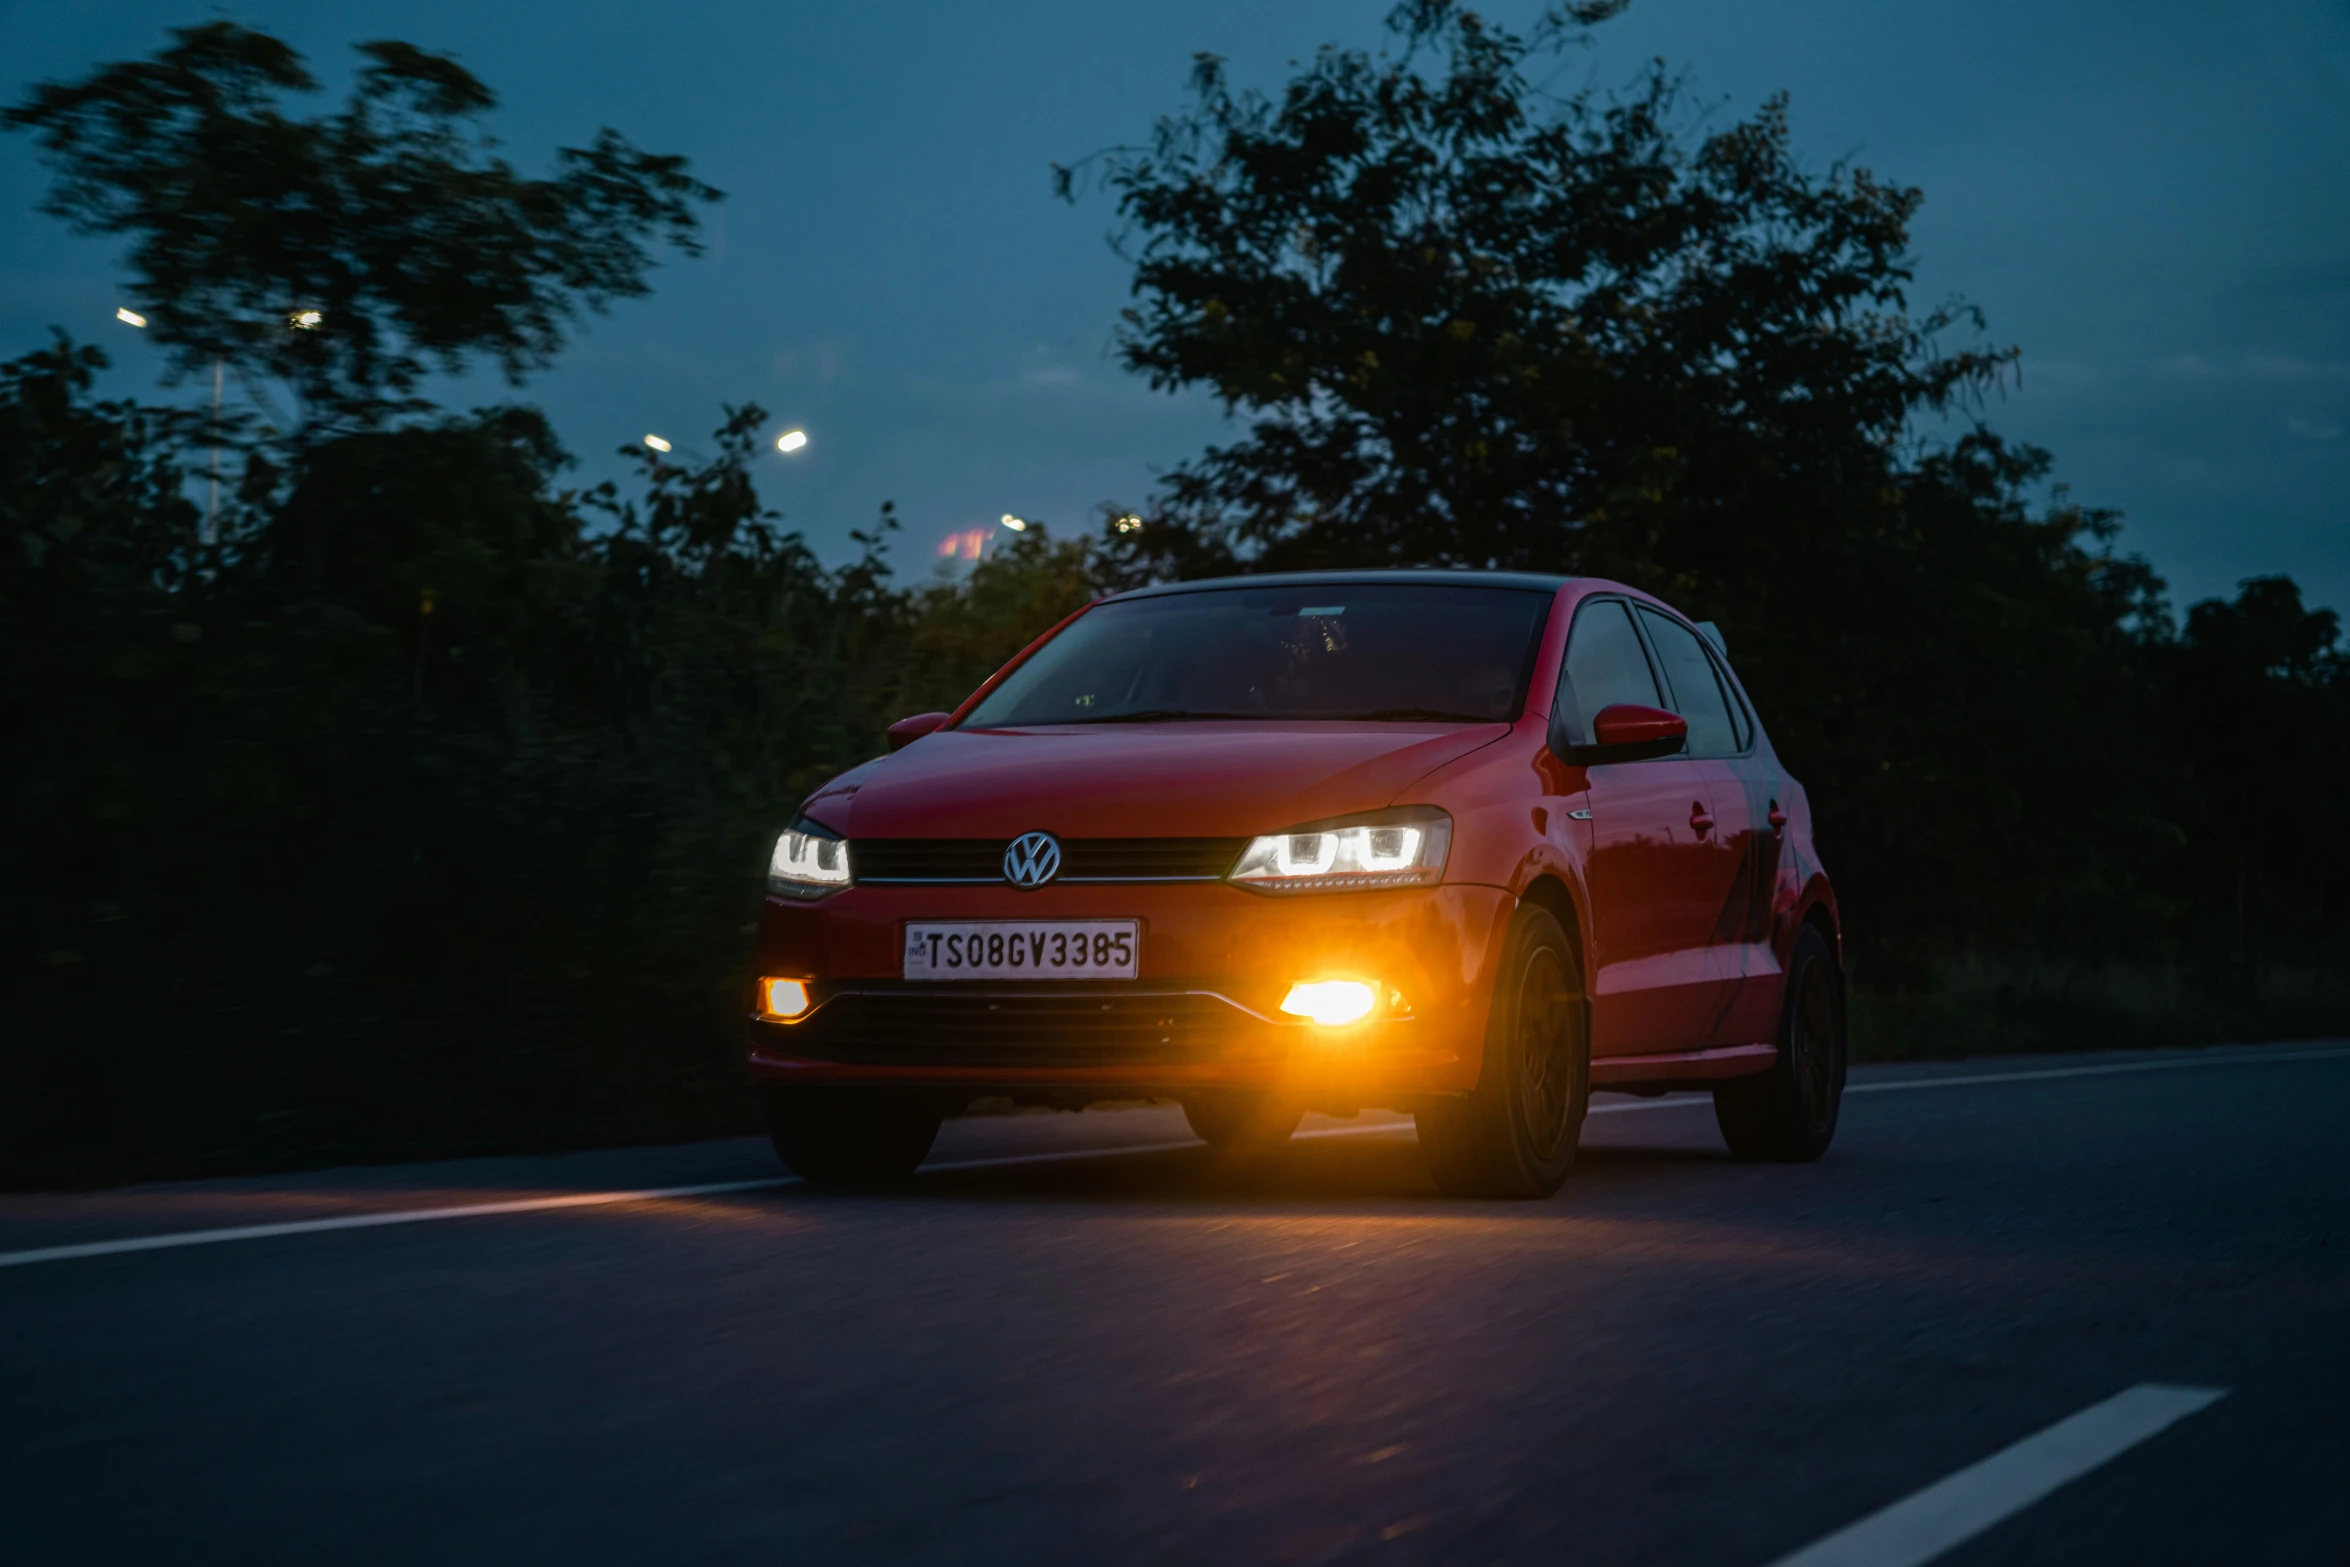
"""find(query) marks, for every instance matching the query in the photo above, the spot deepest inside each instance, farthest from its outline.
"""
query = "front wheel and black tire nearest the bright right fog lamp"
(1515, 1136)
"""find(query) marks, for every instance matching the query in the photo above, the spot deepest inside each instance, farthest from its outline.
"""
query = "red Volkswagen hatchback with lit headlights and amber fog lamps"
(1449, 842)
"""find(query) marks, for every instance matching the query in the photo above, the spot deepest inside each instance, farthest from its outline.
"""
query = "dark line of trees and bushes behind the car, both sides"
(410, 800)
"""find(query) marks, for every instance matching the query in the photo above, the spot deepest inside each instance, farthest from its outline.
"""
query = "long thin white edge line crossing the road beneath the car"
(657, 1195)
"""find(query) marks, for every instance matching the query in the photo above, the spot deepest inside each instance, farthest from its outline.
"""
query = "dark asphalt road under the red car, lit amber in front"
(2088, 1310)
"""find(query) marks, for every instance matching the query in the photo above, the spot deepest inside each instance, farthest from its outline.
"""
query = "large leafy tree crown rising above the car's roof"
(1475, 325)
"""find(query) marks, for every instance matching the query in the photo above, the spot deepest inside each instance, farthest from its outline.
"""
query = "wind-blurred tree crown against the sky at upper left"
(351, 253)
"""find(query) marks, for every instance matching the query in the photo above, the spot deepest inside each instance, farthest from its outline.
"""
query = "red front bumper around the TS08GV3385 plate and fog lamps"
(1204, 1011)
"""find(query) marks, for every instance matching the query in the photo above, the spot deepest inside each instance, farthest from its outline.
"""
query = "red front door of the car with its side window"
(1653, 859)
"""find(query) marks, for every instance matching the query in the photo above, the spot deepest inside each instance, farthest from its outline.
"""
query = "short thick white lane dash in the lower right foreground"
(1956, 1509)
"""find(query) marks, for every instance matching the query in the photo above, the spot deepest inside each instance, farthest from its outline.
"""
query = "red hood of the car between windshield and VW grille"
(1139, 781)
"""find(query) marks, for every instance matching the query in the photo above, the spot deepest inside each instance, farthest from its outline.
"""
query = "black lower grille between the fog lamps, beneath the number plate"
(920, 1028)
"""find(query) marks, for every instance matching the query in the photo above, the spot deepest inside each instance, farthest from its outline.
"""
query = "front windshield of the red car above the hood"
(1352, 652)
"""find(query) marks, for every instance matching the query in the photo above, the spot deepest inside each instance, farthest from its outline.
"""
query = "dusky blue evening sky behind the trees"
(2149, 199)
